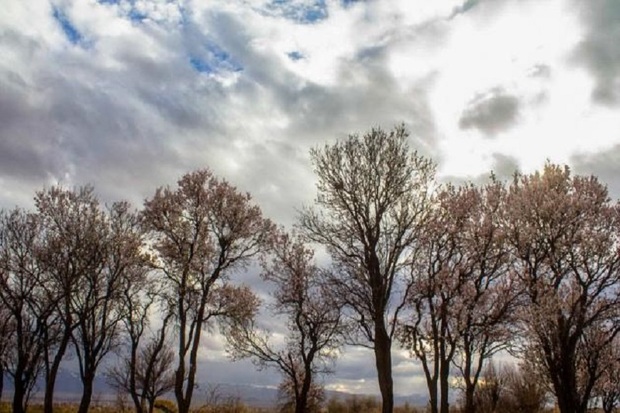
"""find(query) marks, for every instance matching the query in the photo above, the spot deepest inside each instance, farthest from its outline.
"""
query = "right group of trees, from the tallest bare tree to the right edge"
(456, 274)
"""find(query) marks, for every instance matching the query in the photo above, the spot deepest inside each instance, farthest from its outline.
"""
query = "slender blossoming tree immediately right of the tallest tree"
(439, 272)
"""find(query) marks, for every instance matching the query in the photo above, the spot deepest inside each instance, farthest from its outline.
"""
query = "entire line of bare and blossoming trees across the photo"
(452, 273)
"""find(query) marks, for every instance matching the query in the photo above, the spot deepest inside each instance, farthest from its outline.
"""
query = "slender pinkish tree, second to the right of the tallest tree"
(489, 297)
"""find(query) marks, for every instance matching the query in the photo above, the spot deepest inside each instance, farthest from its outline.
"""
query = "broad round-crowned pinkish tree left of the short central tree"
(200, 233)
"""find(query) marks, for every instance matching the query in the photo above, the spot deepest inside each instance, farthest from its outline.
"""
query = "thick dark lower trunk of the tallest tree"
(383, 359)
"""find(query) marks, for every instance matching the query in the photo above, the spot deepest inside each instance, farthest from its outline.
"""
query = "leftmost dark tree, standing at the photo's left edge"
(25, 308)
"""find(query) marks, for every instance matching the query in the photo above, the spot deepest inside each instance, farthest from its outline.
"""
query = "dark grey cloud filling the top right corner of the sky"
(599, 51)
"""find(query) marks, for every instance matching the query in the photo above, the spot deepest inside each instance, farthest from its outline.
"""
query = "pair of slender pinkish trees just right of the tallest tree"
(461, 300)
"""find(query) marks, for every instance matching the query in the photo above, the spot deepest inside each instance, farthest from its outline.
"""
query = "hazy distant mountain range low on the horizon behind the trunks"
(69, 389)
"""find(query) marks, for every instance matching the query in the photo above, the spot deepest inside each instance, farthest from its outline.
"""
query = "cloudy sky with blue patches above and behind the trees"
(128, 95)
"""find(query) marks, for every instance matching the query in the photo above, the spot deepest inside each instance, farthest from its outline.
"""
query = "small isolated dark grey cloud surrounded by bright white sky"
(491, 112)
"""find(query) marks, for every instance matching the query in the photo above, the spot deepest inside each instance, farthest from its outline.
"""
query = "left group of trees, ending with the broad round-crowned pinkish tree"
(75, 276)
